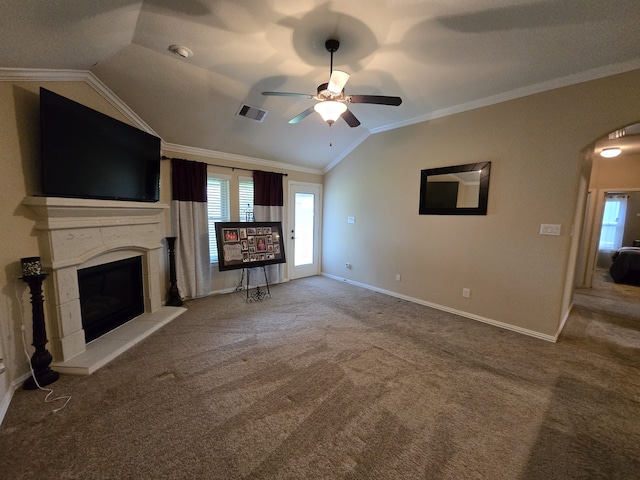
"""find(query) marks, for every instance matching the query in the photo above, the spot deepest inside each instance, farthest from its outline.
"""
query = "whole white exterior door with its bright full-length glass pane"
(305, 213)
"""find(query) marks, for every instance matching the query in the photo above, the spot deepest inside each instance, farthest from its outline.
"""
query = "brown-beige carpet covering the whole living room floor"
(330, 381)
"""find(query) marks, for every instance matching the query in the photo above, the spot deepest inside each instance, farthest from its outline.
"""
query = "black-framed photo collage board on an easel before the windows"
(249, 244)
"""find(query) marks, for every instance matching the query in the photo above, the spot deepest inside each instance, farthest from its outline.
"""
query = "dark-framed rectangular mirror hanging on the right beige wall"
(455, 190)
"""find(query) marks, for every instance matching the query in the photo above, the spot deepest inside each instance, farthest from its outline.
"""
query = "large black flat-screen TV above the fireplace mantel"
(86, 154)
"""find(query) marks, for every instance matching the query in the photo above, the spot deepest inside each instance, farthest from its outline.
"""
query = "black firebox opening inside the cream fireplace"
(111, 294)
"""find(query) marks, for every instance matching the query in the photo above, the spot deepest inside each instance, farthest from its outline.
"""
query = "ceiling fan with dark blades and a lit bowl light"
(331, 98)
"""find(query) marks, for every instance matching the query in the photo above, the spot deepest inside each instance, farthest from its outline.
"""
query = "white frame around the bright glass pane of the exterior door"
(317, 254)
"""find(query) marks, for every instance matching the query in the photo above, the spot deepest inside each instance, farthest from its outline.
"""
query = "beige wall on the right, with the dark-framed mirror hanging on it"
(516, 276)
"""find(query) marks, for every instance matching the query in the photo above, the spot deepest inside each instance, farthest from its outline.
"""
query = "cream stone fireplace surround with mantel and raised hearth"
(80, 233)
